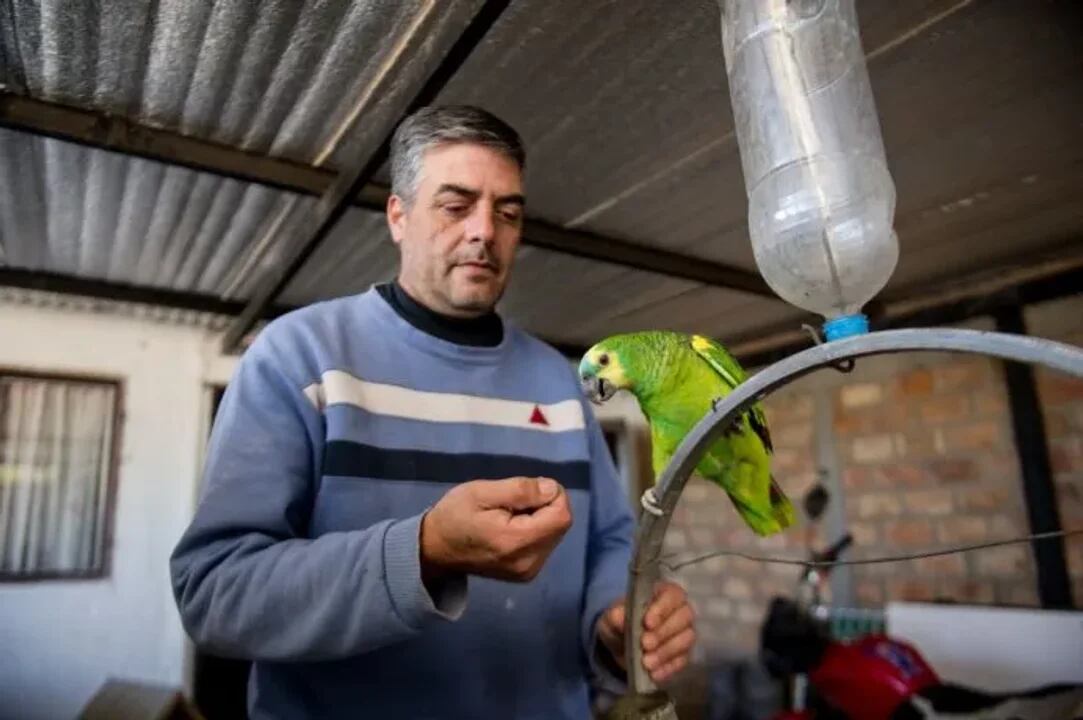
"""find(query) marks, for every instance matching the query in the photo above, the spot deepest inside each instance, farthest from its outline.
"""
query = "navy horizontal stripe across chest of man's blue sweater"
(349, 460)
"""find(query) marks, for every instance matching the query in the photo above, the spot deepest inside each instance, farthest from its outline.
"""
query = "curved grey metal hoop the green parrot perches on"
(645, 573)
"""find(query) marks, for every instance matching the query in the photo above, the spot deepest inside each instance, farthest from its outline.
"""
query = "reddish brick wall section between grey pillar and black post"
(930, 462)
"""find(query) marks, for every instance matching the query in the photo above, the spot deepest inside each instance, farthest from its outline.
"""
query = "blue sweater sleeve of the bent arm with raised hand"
(247, 580)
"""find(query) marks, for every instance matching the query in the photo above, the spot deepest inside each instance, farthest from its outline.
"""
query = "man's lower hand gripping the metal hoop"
(669, 635)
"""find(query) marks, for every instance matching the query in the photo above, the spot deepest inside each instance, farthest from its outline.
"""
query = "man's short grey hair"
(443, 125)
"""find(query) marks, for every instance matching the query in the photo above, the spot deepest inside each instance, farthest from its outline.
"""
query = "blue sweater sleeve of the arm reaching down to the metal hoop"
(609, 555)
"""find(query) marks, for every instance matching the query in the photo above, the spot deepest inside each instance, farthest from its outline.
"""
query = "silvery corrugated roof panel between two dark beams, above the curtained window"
(73, 211)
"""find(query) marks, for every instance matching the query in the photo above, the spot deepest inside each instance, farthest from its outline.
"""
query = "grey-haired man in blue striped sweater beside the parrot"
(409, 509)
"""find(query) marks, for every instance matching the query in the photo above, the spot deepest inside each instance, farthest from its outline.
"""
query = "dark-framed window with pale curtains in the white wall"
(58, 453)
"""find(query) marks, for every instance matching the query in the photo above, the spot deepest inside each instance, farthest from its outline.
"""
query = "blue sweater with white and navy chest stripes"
(342, 426)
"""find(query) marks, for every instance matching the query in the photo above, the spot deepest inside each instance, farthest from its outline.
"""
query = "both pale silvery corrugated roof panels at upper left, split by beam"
(282, 78)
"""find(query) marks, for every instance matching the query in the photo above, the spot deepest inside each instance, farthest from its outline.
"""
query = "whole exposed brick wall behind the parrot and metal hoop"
(924, 456)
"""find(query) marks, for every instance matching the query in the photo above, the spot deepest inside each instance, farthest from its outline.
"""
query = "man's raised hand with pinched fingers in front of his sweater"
(499, 529)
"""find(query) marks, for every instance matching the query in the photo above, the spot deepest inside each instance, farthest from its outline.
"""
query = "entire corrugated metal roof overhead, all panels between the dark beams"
(623, 106)
